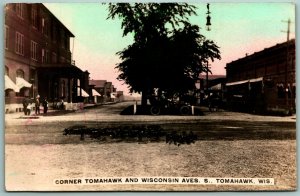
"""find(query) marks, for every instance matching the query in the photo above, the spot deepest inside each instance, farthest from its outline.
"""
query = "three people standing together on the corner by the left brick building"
(27, 107)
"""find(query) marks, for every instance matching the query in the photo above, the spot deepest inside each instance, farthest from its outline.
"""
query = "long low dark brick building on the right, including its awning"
(264, 81)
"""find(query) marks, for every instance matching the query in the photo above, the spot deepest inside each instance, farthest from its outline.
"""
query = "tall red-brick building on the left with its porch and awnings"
(38, 59)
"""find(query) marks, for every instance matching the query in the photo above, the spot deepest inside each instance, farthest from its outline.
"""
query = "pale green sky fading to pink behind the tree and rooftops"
(237, 28)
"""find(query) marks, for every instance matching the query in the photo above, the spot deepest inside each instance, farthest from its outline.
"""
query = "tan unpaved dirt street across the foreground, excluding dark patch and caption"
(229, 145)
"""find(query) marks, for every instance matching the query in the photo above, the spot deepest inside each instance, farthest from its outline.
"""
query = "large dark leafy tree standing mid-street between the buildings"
(168, 52)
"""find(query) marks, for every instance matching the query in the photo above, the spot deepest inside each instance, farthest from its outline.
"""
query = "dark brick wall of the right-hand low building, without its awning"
(277, 67)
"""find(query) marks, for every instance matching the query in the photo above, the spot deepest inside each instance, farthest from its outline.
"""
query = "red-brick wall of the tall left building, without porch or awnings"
(33, 37)
